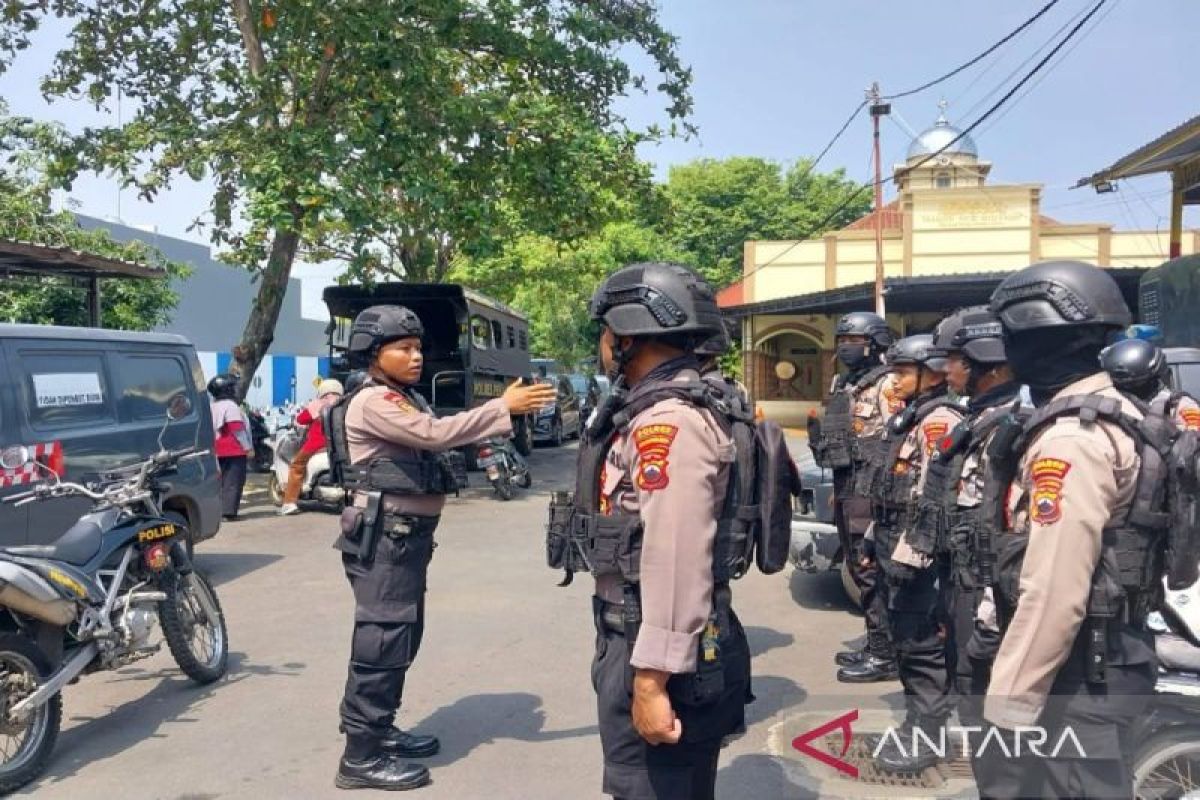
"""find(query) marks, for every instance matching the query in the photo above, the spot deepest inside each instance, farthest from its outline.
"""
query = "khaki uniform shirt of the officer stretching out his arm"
(382, 423)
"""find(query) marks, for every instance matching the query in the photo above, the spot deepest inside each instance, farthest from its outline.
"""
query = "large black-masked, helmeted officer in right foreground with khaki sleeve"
(1076, 653)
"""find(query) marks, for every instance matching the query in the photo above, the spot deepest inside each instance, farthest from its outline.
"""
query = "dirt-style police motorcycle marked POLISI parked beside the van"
(91, 601)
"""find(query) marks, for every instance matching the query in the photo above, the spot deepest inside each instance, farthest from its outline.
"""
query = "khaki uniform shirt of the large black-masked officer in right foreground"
(1073, 479)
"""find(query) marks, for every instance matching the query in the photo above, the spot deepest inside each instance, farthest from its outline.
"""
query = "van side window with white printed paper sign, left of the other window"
(65, 389)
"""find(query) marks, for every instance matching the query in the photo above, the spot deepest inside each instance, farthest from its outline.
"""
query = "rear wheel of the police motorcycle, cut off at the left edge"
(25, 747)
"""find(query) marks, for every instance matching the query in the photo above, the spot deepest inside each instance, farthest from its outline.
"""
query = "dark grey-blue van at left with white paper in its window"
(88, 401)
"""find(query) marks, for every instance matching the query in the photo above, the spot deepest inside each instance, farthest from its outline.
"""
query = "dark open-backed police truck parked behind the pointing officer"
(475, 346)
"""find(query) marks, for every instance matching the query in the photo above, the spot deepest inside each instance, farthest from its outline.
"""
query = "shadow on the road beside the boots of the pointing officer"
(481, 719)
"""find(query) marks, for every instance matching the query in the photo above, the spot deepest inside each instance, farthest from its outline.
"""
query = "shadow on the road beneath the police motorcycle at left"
(94, 739)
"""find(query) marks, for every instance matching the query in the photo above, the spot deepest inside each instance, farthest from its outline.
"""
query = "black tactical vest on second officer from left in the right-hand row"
(892, 483)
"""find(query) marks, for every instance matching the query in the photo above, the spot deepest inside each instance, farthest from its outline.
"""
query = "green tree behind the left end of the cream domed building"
(719, 206)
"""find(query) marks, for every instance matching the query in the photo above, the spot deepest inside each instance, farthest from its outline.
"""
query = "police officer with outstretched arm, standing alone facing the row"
(385, 442)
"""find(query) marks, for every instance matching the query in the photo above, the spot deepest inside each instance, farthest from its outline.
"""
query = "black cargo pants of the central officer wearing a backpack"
(635, 771)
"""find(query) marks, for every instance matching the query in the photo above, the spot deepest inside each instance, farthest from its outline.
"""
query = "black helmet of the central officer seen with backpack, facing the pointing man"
(657, 299)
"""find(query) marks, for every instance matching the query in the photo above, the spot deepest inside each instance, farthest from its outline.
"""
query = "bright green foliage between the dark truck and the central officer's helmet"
(554, 284)
